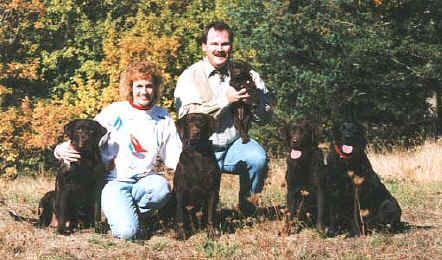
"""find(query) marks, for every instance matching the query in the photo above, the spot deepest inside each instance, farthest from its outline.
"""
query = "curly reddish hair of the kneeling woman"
(138, 71)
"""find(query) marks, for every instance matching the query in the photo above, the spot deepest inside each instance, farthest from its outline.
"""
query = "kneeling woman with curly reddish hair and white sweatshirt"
(138, 132)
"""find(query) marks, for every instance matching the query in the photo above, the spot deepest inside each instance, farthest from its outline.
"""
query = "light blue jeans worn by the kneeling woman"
(123, 201)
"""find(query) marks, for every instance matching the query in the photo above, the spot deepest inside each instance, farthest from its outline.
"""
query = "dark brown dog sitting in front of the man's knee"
(197, 176)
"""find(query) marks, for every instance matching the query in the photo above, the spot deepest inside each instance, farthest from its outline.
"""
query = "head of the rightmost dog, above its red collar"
(349, 138)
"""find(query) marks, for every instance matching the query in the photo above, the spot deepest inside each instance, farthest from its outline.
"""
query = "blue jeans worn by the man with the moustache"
(256, 159)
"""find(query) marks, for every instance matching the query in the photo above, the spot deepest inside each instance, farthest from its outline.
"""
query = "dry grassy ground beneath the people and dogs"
(414, 177)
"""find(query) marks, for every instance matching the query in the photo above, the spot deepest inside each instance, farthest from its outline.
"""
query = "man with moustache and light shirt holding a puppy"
(204, 87)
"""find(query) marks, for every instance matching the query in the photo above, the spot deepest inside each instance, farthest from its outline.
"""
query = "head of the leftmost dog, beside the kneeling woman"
(84, 134)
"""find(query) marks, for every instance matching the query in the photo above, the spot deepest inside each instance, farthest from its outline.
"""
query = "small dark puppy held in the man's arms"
(242, 112)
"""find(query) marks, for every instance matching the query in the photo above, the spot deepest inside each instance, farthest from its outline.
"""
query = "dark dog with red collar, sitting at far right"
(357, 194)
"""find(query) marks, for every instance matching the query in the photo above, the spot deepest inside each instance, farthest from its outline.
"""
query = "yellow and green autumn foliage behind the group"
(325, 60)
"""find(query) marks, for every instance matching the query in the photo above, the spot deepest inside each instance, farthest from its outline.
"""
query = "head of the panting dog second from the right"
(300, 138)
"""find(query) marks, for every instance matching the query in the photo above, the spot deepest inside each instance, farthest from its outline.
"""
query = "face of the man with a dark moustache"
(218, 47)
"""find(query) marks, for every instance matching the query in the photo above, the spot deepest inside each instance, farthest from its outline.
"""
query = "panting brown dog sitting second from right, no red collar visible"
(305, 176)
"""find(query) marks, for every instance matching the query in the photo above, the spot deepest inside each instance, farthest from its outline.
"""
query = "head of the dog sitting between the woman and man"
(195, 128)
